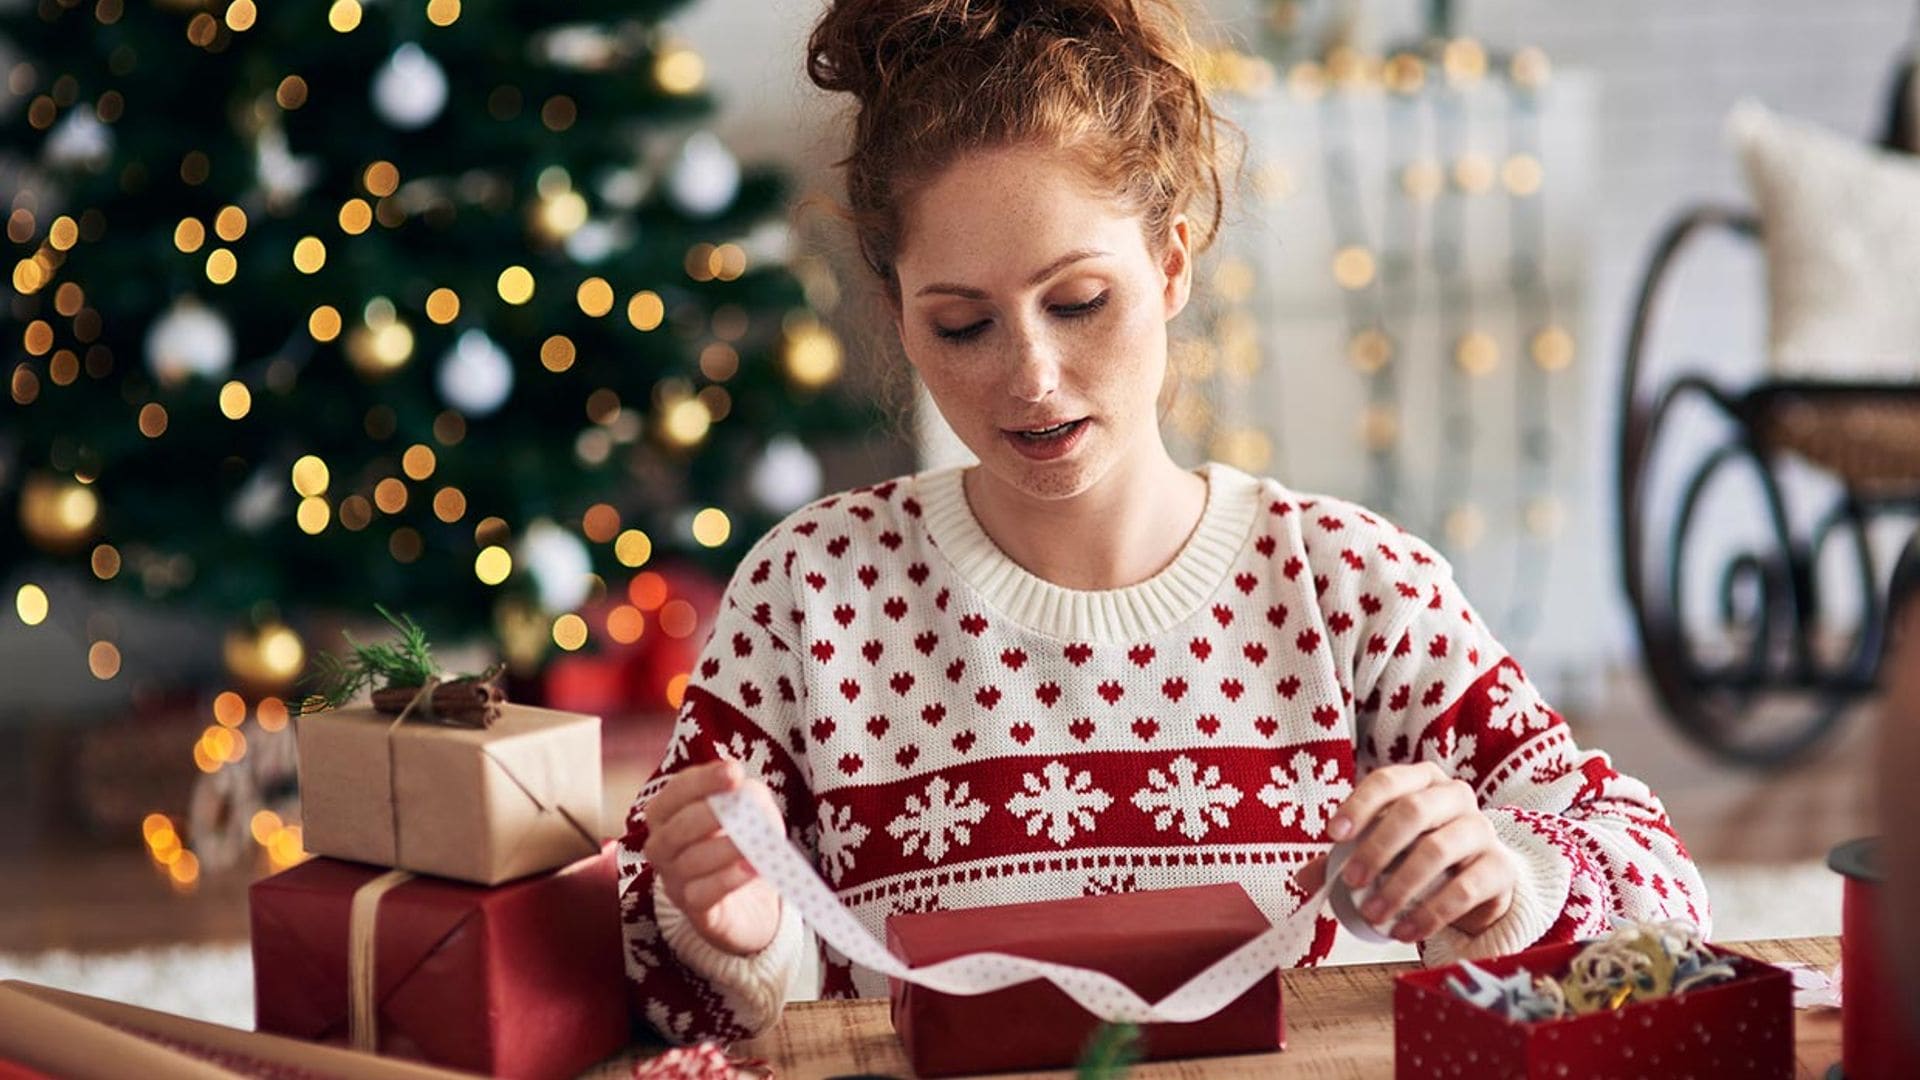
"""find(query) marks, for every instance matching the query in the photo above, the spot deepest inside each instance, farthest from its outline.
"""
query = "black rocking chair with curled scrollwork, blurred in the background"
(1762, 689)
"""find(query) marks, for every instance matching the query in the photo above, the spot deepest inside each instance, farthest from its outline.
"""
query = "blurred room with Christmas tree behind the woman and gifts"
(512, 318)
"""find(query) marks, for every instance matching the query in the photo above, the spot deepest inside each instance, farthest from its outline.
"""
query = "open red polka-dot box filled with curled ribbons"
(1742, 1027)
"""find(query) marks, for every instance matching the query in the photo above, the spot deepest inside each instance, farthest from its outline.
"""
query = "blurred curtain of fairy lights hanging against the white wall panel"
(1387, 266)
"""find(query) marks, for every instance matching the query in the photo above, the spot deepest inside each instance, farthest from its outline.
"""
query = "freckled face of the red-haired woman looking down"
(1036, 316)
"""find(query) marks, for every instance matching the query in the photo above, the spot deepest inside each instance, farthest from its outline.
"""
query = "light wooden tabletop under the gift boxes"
(1339, 1023)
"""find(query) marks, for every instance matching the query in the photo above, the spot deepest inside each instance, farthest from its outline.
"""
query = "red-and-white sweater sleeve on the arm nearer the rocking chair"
(1591, 843)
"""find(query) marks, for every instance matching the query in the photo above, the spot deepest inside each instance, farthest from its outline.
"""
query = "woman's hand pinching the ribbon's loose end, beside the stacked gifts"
(700, 868)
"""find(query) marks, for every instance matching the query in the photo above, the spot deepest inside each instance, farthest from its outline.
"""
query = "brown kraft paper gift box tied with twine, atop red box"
(473, 804)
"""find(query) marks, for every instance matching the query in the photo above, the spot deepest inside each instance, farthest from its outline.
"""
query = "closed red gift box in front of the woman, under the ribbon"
(1149, 941)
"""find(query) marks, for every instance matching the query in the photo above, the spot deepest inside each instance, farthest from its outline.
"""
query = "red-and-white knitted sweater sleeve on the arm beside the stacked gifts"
(742, 704)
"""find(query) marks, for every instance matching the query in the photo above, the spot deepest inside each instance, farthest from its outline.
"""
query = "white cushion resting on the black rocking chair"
(1842, 230)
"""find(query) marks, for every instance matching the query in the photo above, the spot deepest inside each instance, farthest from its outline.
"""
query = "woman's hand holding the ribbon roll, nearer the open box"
(1416, 827)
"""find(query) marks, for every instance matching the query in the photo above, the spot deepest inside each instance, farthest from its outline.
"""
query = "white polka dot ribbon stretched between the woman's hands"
(794, 877)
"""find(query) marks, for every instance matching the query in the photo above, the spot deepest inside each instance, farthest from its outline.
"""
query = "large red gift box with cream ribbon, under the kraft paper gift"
(521, 979)
